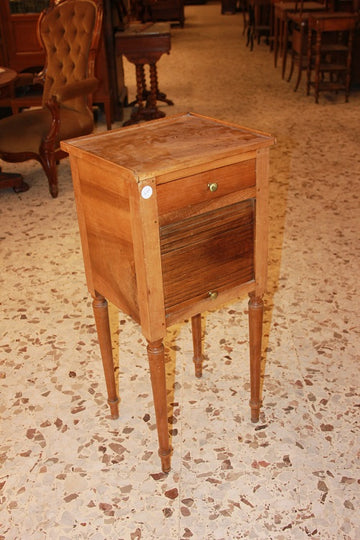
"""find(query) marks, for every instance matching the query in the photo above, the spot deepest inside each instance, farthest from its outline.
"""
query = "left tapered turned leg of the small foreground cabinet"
(101, 315)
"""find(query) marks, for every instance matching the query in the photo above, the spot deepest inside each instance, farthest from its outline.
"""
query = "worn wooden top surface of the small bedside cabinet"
(172, 143)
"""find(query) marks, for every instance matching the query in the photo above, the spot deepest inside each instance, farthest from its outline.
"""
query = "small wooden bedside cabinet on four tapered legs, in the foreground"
(173, 220)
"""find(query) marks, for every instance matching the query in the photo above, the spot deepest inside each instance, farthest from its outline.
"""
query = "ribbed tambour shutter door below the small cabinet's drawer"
(207, 254)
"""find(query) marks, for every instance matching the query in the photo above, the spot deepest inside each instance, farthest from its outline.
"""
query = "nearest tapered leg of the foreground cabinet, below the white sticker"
(156, 357)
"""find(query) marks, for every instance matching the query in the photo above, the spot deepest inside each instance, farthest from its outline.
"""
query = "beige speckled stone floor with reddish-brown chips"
(70, 472)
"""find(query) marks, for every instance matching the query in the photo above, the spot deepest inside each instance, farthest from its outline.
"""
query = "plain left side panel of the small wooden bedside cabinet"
(106, 227)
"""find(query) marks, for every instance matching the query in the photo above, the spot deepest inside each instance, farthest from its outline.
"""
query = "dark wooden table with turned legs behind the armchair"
(144, 44)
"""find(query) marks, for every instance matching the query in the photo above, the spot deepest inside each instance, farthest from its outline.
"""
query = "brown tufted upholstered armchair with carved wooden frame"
(69, 31)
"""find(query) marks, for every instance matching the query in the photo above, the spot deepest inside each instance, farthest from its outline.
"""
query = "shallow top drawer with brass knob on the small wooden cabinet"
(205, 186)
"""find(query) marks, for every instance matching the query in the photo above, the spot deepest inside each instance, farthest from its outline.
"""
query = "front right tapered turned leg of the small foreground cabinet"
(256, 310)
